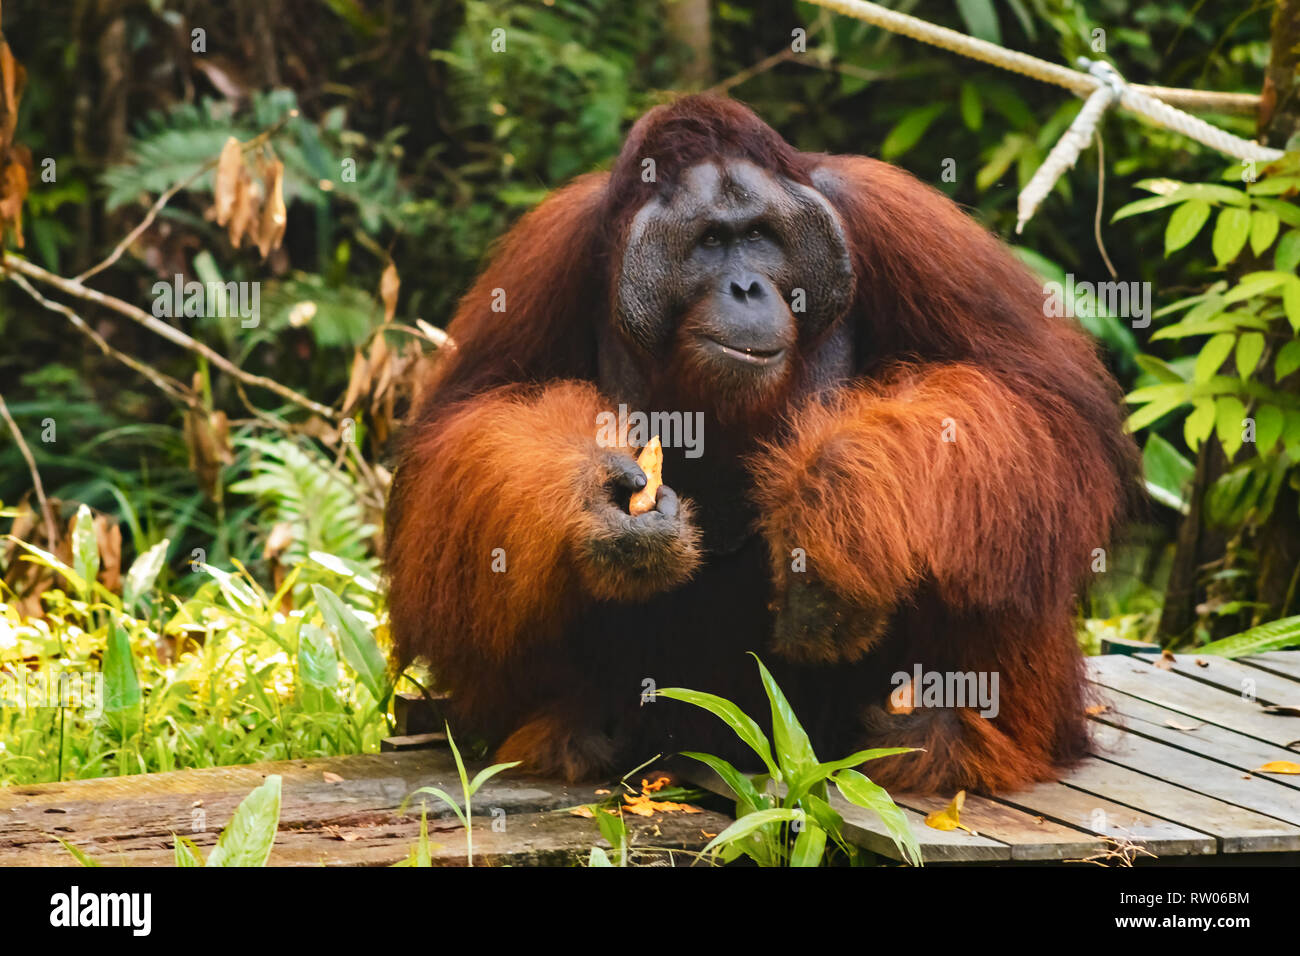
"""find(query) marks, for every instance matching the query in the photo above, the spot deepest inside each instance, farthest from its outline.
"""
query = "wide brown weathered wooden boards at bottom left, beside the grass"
(353, 820)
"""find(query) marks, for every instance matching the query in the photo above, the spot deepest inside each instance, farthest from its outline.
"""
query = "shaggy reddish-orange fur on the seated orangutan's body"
(948, 486)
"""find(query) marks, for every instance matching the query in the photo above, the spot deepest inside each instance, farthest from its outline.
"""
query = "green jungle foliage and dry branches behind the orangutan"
(206, 533)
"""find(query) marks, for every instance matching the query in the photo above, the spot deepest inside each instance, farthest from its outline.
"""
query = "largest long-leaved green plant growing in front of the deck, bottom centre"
(785, 817)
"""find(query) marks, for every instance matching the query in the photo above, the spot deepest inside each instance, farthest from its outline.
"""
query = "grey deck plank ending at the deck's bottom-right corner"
(1236, 829)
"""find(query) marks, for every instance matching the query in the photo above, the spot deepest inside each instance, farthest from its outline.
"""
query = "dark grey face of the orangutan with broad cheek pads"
(729, 276)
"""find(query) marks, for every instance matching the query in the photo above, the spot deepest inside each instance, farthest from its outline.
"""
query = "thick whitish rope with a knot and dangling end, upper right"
(1102, 85)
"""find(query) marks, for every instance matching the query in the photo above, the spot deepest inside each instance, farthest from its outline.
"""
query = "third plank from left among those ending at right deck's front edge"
(1093, 814)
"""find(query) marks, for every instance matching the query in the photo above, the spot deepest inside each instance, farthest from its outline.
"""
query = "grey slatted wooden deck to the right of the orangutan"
(1172, 769)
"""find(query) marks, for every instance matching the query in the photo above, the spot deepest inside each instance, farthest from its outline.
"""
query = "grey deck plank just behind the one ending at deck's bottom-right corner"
(1208, 777)
